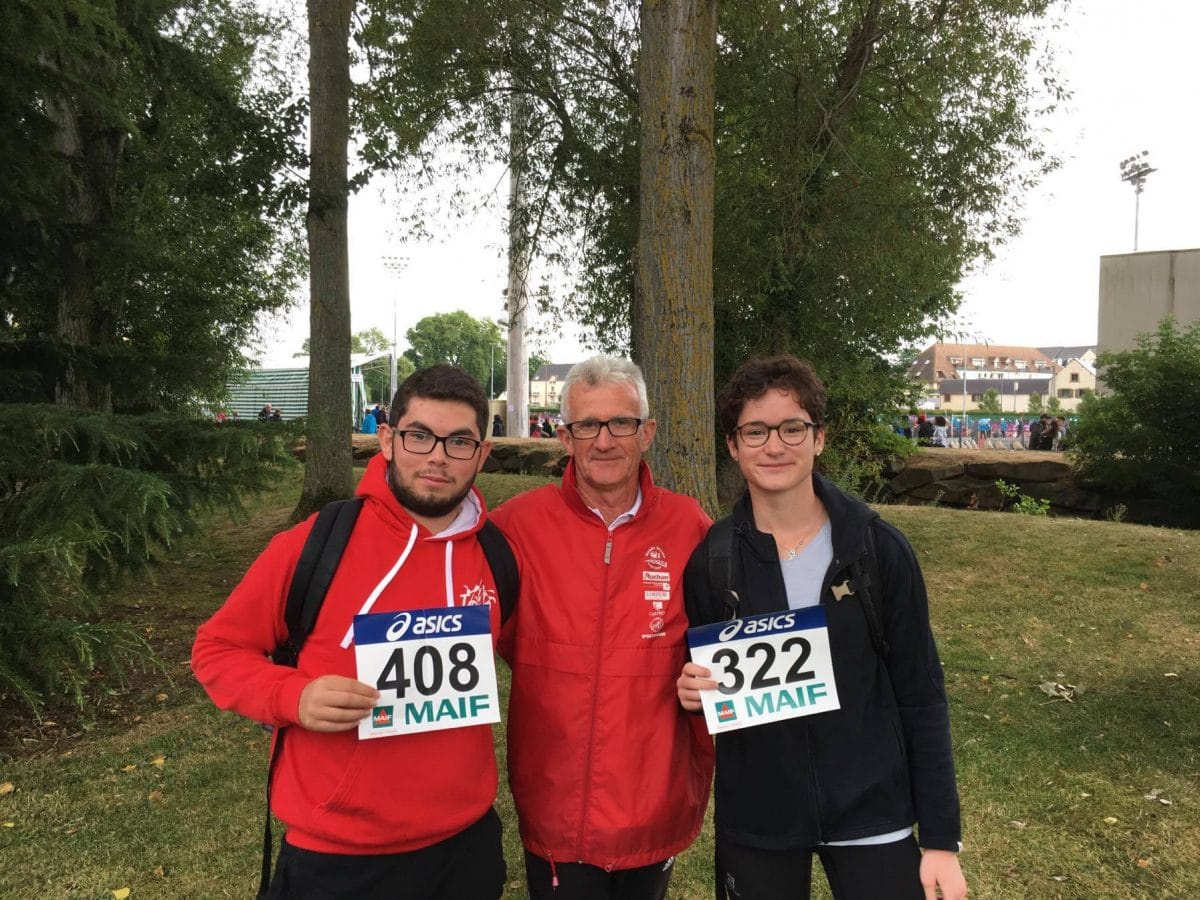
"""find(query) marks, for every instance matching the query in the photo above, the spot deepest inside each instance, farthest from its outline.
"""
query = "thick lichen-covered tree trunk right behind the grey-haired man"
(674, 305)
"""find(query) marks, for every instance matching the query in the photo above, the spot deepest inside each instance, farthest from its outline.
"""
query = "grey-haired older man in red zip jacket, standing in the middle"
(611, 778)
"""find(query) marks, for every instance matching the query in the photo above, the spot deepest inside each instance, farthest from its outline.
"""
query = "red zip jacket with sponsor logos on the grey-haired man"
(605, 766)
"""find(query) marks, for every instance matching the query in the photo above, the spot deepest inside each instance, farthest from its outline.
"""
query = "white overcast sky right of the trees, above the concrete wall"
(1131, 65)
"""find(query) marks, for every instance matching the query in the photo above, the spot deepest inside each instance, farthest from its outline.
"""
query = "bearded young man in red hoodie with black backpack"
(406, 815)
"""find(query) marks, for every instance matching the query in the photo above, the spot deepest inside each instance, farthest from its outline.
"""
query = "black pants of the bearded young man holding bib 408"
(469, 866)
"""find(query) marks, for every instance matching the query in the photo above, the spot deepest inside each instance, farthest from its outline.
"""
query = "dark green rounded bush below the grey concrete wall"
(1141, 441)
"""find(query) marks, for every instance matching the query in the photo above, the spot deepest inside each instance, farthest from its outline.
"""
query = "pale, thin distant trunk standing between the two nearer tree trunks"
(518, 293)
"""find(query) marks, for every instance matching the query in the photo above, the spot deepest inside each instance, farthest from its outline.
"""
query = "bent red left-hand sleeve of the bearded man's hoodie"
(231, 657)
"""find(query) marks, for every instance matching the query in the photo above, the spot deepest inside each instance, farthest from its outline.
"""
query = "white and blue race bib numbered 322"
(769, 668)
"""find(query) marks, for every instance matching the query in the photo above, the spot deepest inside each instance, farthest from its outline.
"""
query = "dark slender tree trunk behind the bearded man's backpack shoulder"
(329, 473)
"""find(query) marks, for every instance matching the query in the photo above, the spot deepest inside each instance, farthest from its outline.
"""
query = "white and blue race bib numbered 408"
(434, 669)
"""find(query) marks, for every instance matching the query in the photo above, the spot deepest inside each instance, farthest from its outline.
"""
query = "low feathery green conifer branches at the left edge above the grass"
(87, 499)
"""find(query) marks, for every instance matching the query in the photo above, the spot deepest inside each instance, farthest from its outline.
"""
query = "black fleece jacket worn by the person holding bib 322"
(879, 764)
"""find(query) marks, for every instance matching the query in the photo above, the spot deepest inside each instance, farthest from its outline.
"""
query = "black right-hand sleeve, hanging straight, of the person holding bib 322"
(920, 688)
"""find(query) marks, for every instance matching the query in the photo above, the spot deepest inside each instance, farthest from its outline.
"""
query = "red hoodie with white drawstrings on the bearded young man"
(337, 794)
